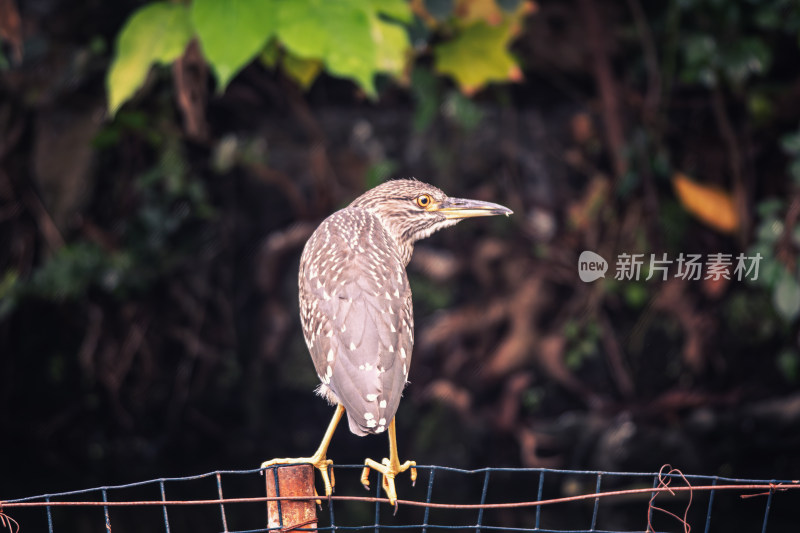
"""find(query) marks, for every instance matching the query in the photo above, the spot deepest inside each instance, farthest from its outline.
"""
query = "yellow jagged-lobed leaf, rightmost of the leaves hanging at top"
(477, 56)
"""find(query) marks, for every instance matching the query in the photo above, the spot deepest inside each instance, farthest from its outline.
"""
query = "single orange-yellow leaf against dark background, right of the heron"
(710, 204)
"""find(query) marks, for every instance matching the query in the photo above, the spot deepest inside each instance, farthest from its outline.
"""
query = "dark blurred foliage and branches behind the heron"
(148, 302)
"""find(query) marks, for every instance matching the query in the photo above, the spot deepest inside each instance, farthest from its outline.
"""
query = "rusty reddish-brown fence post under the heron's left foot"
(291, 480)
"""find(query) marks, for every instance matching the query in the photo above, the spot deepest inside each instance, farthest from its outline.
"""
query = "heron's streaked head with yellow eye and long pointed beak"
(411, 210)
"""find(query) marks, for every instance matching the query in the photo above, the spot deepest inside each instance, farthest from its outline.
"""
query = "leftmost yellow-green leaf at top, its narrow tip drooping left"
(156, 33)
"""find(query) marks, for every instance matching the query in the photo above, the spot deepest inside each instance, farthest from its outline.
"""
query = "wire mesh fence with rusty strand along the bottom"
(444, 499)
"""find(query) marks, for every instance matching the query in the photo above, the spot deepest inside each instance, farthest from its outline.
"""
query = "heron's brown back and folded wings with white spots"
(357, 316)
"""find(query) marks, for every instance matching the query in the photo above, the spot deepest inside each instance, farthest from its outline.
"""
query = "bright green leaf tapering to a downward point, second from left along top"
(232, 33)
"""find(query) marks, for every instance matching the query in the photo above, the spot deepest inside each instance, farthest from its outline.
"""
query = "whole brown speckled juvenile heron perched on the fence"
(355, 307)
